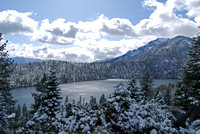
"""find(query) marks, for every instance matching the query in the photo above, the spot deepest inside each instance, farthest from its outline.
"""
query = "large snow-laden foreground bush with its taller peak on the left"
(123, 114)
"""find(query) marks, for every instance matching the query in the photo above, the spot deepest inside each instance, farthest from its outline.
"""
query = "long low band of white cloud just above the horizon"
(86, 51)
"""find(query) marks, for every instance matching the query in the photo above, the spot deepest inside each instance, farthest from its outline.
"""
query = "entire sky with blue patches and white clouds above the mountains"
(91, 30)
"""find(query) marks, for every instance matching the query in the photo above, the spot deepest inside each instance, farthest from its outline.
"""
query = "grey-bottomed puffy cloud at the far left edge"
(12, 21)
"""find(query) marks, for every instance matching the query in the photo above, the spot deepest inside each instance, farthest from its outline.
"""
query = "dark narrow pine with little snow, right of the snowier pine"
(146, 84)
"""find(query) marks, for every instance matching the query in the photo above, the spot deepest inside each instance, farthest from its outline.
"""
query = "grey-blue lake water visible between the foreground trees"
(83, 89)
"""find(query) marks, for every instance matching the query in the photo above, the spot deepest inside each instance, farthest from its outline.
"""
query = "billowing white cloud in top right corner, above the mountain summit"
(165, 21)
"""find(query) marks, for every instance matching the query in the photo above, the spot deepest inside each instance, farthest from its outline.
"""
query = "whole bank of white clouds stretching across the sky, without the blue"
(91, 40)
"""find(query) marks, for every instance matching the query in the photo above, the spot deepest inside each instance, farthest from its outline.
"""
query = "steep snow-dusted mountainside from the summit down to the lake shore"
(163, 57)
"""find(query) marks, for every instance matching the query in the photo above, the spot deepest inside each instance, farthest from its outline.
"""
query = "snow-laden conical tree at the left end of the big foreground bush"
(117, 104)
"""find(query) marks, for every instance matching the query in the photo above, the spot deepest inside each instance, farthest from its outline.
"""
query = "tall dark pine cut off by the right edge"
(188, 92)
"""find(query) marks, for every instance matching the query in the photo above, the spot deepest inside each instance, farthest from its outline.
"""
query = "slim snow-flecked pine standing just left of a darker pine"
(136, 92)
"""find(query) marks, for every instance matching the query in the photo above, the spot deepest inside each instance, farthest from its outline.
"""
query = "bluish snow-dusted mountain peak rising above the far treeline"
(161, 49)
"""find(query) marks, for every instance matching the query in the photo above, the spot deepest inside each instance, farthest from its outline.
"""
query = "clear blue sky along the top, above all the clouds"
(76, 10)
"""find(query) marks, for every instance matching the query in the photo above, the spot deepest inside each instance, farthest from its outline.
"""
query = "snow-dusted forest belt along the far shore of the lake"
(30, 74)
